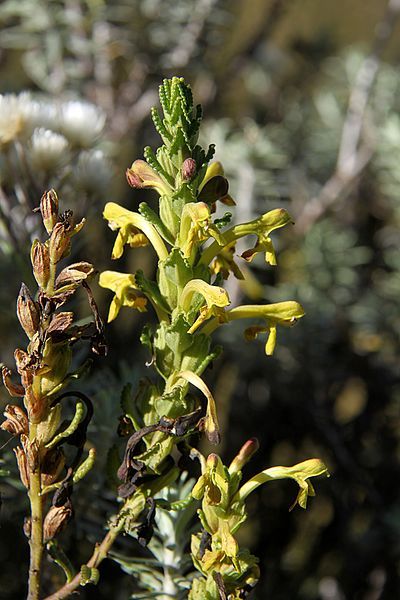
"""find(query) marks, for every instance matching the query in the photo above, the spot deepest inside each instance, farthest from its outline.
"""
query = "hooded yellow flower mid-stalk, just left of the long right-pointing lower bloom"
(216, 300)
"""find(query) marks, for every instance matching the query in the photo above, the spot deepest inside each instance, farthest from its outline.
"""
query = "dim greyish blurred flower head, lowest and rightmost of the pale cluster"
(93, 172)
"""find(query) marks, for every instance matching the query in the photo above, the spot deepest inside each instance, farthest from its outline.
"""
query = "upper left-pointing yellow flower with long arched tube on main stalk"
(131, 224)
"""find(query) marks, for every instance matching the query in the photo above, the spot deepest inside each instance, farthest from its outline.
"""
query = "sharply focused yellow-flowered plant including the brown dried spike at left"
(195, 254)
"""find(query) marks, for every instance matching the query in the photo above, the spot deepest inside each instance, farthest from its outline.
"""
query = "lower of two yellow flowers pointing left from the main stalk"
(124, 287)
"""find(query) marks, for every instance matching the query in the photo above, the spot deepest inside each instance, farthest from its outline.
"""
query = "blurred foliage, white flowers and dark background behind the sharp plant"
(303, 104)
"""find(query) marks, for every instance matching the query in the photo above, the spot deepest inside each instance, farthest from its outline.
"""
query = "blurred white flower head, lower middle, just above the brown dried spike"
(47, 151)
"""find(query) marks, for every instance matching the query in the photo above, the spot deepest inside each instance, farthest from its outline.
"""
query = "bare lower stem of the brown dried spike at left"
(36, 538)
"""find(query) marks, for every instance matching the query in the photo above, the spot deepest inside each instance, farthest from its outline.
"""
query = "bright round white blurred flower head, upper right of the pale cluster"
(81, 122)
